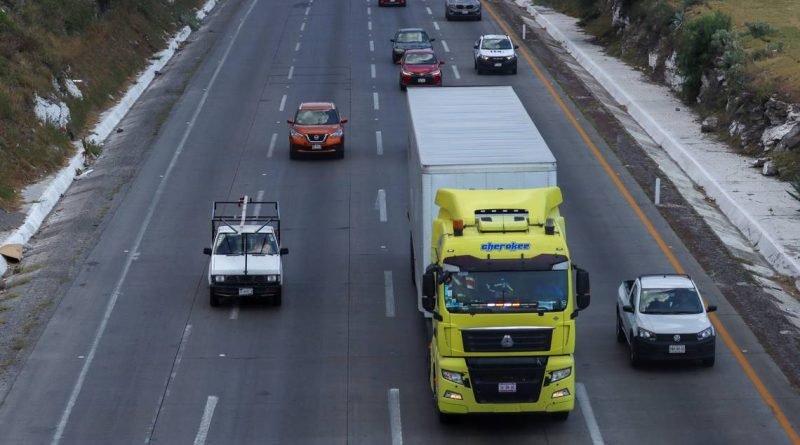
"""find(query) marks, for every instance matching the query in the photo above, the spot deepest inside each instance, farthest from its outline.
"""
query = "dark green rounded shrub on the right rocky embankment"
(695, 53)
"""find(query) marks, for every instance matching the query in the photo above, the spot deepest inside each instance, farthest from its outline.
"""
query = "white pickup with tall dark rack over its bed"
(245, 251)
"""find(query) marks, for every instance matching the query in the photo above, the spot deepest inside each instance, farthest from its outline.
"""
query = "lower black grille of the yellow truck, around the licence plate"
(487, 373)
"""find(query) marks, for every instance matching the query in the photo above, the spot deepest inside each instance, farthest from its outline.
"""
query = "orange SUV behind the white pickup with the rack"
(316, 129)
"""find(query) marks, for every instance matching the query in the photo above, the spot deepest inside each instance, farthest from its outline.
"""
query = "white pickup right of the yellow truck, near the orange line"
(663, 317)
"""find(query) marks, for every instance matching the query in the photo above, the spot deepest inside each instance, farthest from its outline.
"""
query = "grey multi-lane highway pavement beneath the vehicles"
(134, 353)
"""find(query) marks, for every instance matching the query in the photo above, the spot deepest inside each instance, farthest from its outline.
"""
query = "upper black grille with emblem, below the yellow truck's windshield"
(507, 340)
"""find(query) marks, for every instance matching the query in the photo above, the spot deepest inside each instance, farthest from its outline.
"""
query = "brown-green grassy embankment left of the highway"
(46, 40)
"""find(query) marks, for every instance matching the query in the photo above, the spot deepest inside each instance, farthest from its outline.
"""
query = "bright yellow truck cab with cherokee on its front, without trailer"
(503, 294)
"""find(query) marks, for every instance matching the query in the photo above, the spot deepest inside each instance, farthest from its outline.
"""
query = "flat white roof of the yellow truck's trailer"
(474, 126)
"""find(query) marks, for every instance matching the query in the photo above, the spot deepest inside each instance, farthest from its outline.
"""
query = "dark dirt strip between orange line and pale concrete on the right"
(735, 282)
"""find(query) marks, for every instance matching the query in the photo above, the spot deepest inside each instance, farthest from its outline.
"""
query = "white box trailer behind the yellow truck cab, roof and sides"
(468, 138)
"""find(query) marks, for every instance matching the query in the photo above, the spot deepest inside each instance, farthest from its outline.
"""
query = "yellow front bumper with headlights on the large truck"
(552, 397)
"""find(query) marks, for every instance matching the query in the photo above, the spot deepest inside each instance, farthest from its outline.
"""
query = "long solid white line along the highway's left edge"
(76, 390)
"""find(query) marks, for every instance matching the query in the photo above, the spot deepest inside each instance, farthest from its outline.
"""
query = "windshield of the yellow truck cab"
(524, 291)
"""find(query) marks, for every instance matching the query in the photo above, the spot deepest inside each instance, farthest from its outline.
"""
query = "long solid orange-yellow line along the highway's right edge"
(721, 330)
